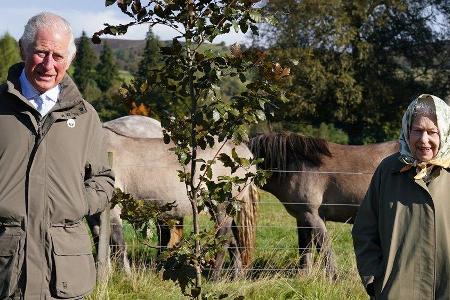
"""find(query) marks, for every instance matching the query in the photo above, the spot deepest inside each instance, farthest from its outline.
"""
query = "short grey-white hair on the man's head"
(46, 20)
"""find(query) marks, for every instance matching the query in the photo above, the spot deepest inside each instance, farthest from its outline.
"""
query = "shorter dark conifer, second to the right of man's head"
(107, 71)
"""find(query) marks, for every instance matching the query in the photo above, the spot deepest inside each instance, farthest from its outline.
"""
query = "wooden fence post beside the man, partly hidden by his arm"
(103, 265)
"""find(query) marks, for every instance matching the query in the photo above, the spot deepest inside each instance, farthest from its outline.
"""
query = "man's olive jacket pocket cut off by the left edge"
(10, 260)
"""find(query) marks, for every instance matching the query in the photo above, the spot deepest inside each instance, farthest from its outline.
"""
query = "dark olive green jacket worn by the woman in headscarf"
(401, 234)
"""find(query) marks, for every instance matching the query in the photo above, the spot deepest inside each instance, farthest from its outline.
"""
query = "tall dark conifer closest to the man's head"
(84, 64)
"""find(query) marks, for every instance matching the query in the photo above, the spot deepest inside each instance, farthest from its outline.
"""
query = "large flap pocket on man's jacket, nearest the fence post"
(73, 264)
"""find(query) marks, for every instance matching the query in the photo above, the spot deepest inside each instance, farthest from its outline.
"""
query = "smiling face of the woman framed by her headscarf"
(424, 138)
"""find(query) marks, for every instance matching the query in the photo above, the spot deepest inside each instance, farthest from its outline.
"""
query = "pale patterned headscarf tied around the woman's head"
(442, 158)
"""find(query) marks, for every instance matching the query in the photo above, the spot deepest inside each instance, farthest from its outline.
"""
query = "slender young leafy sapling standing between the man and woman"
(192, 75)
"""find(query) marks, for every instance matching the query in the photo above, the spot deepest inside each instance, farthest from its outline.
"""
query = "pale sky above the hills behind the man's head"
(87, 15)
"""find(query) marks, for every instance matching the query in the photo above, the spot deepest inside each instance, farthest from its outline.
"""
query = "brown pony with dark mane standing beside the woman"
(318, 181)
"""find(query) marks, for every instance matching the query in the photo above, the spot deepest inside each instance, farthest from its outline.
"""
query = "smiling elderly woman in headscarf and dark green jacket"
(401, 234)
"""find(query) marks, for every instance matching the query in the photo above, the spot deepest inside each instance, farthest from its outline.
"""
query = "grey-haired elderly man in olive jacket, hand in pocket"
(53, 170)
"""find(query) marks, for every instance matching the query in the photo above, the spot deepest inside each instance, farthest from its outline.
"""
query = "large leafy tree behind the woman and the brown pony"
(361, 62)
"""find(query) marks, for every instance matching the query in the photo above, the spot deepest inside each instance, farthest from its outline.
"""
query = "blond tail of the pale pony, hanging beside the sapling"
(246, 221)
